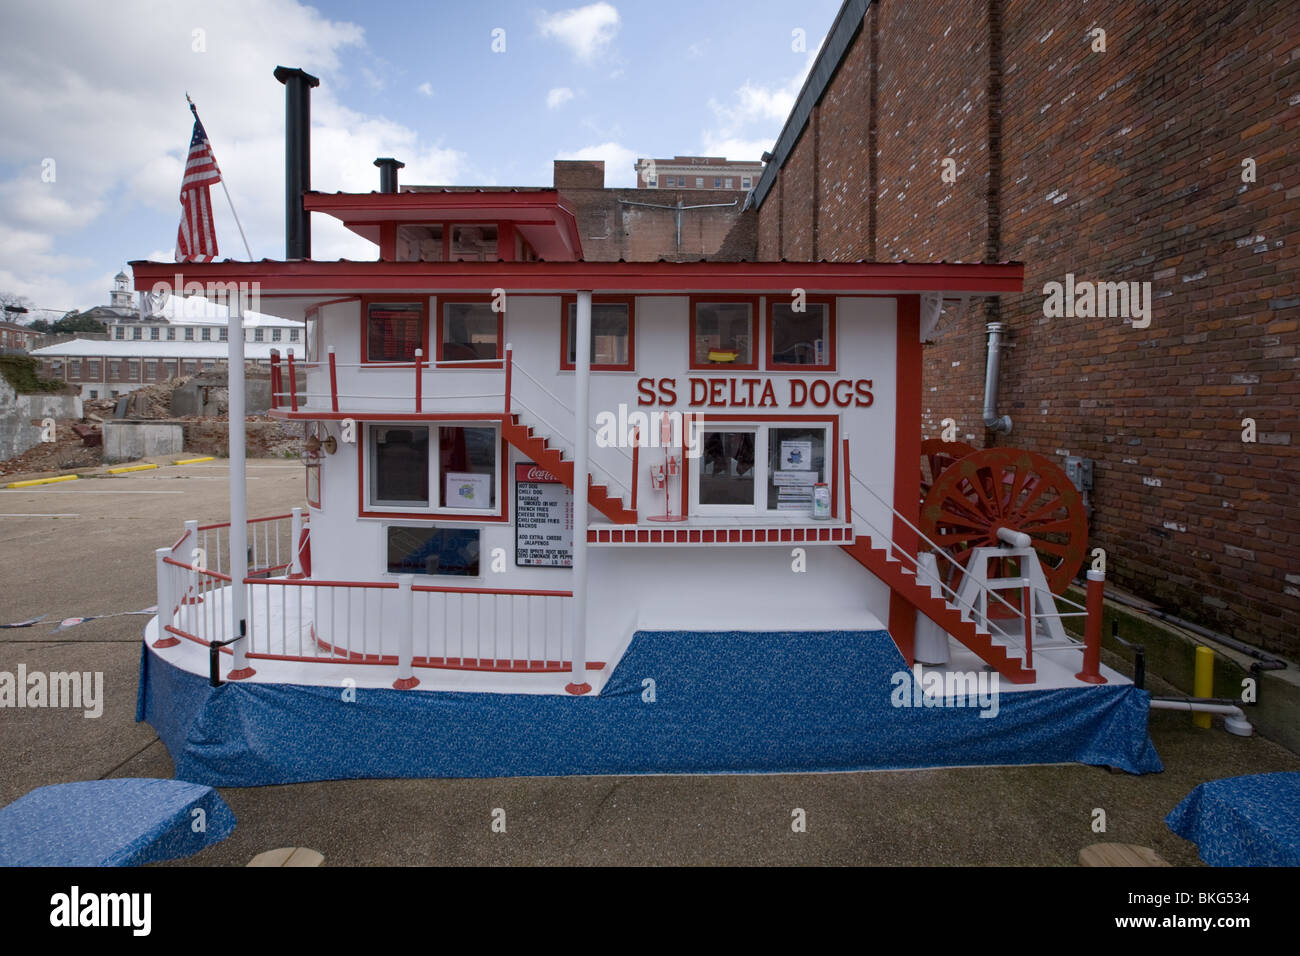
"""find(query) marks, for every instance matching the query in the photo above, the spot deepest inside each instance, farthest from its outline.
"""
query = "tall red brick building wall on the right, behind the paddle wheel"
(1125, 141)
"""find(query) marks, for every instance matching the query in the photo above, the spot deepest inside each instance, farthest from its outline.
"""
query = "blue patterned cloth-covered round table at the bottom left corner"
(122, 823)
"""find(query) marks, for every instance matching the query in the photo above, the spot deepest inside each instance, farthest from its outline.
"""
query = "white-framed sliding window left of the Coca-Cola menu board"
(448, 470)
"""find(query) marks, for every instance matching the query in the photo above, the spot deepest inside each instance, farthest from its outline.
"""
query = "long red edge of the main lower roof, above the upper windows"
(348, 276)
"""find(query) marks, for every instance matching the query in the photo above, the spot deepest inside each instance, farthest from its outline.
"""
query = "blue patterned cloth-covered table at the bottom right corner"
(1243, 821)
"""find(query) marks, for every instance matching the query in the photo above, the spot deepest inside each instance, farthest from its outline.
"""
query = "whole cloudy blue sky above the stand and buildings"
(101, 90)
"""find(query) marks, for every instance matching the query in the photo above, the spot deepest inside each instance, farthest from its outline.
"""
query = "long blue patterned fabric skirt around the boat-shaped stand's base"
(723, 703)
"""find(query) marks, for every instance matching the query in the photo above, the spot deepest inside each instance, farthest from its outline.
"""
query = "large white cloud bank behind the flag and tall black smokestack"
(119, 128)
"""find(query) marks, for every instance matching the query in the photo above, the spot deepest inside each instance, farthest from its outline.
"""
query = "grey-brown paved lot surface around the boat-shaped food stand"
(85, 548)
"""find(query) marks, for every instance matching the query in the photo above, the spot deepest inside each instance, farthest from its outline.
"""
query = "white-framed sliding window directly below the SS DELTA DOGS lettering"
(764, 469)
